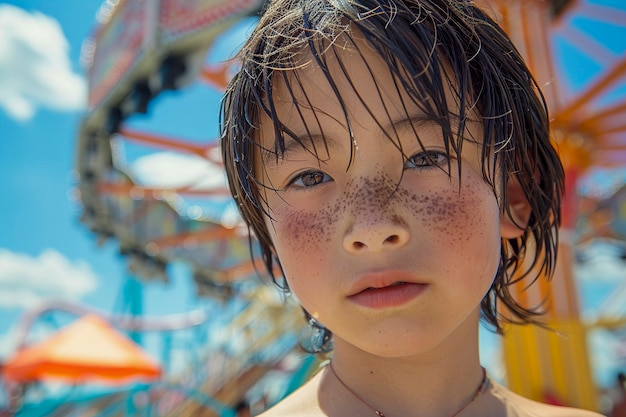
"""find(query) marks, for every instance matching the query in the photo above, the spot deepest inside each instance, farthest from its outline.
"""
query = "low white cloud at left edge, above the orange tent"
(26, 282)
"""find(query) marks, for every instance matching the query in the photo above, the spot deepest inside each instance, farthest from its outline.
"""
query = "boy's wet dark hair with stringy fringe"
(428, 45)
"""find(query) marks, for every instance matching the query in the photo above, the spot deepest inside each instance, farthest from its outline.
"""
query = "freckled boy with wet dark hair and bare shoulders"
(393, 160)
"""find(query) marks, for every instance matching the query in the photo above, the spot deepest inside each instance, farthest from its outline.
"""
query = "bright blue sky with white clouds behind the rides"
(45, 252)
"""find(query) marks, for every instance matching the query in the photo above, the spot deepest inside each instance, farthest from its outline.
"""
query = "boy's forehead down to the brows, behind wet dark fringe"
(350, 86)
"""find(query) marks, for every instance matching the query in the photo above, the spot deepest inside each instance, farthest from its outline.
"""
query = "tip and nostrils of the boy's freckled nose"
(376, 236)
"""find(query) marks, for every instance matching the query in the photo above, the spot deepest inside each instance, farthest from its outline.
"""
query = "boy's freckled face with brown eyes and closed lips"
(429, 245)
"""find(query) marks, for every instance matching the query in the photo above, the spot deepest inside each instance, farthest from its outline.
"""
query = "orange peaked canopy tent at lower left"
(87, 350)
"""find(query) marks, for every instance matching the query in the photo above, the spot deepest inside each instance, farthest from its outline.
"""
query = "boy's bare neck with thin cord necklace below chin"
(437, 384)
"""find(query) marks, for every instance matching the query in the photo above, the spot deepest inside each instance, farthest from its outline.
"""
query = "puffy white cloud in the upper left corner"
(35, 68)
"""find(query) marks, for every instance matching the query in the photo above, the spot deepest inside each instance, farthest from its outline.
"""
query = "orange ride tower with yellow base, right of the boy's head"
(548, 364)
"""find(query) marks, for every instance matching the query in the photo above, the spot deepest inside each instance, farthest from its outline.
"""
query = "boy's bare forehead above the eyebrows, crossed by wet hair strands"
(350, 76)
